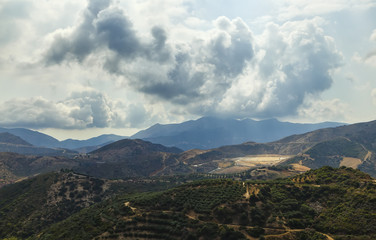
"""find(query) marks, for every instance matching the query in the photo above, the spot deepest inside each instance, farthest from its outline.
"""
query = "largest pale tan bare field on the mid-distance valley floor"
(241, 164)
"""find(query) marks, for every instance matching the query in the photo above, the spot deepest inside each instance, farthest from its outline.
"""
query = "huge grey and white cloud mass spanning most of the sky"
(226, 70)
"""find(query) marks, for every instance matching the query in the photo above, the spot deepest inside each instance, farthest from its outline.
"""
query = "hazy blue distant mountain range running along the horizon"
(203, 133)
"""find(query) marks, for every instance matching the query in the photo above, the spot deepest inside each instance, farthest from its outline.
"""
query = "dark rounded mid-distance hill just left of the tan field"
(131, 158)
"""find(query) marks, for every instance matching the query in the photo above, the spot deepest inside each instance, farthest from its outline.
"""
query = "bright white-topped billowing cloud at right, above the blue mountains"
(293, 61)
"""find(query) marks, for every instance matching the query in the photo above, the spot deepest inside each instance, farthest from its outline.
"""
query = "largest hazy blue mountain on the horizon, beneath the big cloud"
(211, 132)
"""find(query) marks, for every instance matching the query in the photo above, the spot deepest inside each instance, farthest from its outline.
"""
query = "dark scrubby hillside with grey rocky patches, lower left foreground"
(29, 206)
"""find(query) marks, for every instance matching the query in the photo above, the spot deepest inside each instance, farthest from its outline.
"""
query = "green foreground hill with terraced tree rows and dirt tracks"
(322, 204)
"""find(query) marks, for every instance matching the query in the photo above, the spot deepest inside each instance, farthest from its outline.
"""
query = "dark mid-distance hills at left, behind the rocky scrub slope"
(122, 159)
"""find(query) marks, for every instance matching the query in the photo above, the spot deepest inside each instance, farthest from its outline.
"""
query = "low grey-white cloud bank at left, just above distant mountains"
(81, 110)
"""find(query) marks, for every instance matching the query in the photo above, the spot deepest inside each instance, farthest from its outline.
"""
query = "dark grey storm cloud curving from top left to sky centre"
(185, 69)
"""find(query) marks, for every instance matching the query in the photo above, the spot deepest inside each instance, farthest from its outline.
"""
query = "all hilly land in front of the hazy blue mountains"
(307, 186)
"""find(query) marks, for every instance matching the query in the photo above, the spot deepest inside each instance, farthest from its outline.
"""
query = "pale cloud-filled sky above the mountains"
(78, 69)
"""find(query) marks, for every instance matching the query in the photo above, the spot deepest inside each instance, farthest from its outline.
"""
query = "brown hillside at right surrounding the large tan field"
(351, 145)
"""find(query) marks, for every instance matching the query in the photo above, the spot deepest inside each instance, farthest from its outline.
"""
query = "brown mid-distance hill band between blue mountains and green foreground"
(350, 145)
